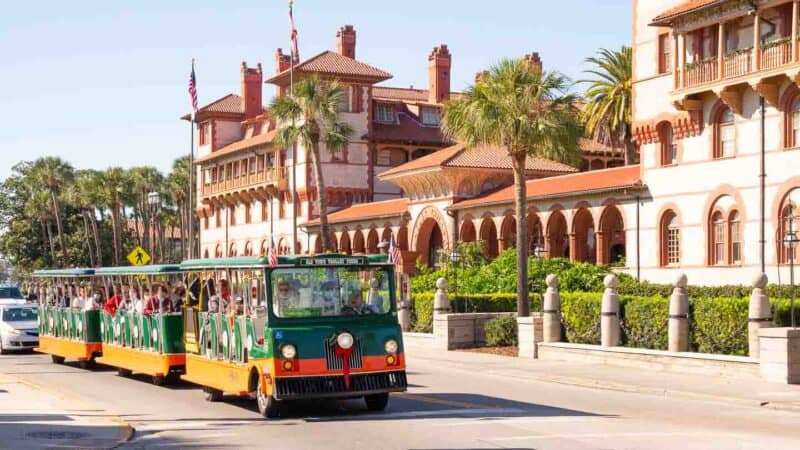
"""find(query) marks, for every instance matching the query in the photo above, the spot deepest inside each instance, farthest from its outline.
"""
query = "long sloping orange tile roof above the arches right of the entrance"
(565, 185)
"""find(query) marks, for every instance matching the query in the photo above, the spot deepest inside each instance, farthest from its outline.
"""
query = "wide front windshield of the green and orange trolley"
(330, 291)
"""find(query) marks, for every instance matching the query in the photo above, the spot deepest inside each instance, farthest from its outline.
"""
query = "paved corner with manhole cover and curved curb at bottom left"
(32, 416)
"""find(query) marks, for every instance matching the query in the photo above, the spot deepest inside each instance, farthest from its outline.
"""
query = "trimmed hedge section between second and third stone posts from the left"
(644, 322)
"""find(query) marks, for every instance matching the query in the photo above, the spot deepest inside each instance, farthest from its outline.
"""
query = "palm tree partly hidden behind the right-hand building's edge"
(609, 96)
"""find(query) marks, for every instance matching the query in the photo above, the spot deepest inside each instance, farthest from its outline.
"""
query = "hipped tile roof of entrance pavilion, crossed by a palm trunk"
(475, 158)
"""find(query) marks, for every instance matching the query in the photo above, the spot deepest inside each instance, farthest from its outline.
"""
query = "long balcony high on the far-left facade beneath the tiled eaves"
(253, 186)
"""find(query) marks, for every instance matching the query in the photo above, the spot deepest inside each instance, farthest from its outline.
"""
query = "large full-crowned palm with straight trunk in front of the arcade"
(528, 112)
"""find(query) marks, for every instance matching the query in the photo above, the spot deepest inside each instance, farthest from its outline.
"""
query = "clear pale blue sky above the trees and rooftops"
(103, 83)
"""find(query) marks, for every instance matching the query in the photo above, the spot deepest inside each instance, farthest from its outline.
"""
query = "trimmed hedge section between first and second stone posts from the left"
(581, 317)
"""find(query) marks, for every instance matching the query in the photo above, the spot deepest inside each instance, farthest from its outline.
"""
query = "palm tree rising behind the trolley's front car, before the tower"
(307, 116)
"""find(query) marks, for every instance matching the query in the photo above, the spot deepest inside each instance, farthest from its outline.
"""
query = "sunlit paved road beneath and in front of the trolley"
(447, 407)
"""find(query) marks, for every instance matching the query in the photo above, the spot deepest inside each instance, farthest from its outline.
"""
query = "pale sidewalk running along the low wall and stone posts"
(751, 392)
